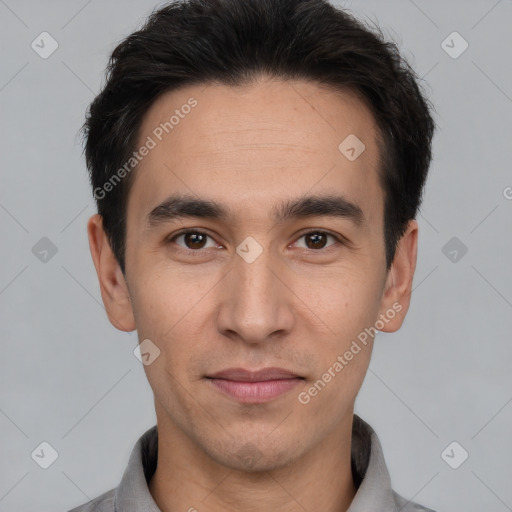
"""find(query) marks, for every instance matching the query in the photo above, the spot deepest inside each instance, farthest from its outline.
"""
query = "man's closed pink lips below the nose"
(254, 387)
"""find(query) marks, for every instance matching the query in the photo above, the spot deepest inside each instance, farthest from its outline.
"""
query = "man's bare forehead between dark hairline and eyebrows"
(255, 145)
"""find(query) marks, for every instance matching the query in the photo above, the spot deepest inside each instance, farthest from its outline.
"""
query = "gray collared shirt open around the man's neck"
(374, 492)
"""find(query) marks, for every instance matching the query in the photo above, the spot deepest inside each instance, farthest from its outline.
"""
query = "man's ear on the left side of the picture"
(114, 290)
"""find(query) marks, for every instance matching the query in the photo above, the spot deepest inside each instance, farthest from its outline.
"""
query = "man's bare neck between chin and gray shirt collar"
(186, 479)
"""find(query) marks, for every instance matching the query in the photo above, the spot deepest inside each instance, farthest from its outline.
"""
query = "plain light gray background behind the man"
(69, 378)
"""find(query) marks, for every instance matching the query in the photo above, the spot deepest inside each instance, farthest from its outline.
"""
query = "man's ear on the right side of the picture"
(396, 295)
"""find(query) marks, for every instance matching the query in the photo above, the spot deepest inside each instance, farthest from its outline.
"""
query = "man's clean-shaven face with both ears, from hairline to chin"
(283, 267)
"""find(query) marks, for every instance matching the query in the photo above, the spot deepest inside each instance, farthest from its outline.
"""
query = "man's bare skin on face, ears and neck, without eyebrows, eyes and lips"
(295, 307)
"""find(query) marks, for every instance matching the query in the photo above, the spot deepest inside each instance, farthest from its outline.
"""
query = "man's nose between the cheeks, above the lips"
(256, 302)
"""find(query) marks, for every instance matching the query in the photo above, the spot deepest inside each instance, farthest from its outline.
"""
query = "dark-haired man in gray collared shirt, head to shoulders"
(258, 166)
